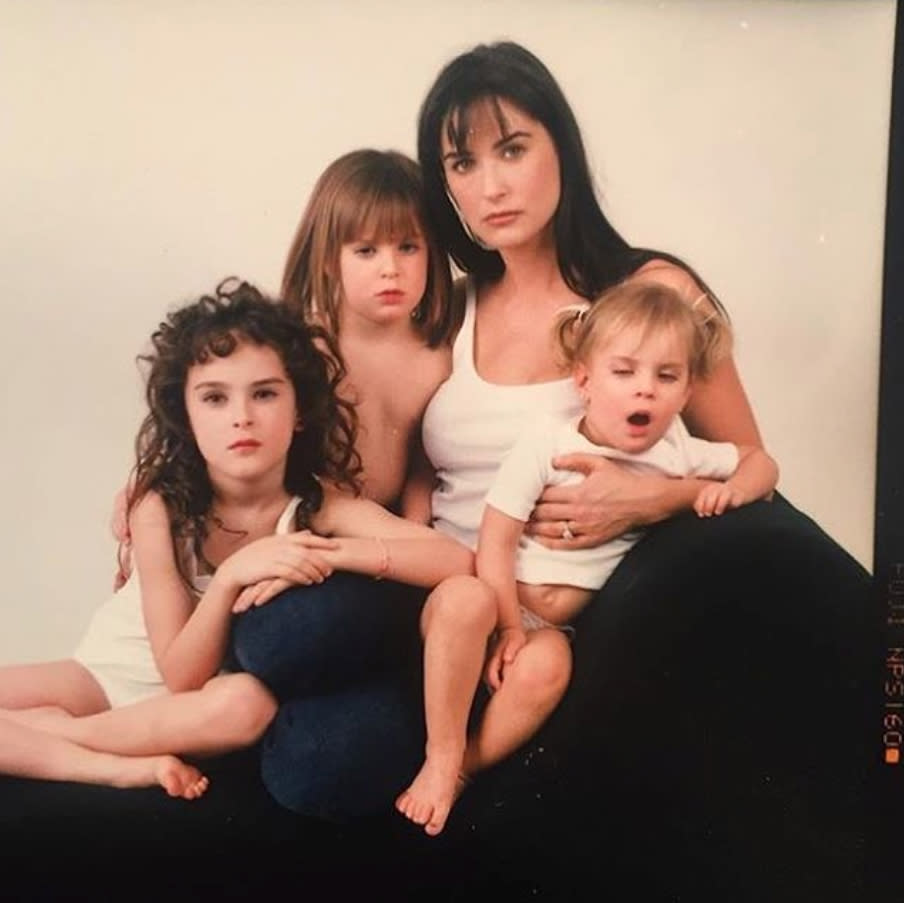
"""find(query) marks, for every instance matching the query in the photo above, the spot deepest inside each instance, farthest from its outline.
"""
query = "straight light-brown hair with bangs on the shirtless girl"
(373, 195)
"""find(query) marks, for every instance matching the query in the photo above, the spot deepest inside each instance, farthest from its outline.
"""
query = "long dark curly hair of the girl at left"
(168, 460)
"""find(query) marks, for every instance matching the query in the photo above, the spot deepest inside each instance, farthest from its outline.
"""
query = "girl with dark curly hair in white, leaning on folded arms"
(226, 508)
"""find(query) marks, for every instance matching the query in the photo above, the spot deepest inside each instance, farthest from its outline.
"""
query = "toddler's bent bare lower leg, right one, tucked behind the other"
(531, 688)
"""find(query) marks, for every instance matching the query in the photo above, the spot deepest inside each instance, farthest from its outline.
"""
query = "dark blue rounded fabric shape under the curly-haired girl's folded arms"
(343, 659)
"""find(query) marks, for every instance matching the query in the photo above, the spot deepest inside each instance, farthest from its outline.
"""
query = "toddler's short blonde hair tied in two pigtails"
(652, 307)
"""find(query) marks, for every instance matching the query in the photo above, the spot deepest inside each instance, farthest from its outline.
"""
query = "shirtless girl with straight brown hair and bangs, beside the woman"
(367, 210)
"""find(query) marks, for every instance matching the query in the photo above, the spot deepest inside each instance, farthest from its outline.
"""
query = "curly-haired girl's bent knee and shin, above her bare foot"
(229, 712)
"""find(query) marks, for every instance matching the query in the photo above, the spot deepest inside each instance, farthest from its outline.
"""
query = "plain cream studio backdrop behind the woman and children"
(150, 149)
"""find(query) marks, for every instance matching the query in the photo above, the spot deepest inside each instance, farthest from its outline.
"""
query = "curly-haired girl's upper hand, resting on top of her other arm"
(293, 557)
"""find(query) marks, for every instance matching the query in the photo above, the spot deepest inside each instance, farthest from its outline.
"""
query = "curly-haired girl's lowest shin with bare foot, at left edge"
(29, 753)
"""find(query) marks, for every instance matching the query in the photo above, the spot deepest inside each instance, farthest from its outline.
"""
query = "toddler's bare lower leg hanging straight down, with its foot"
(457, 619)
